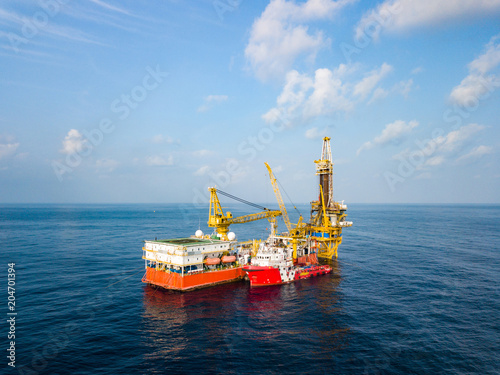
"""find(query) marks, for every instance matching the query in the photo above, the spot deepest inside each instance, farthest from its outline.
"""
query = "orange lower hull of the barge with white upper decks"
(174, 281)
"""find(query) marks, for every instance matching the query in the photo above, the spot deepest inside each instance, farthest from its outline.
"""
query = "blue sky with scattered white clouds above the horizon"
(146, 101)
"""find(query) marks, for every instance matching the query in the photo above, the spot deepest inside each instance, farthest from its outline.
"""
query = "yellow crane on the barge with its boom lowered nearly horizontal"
(221, 222)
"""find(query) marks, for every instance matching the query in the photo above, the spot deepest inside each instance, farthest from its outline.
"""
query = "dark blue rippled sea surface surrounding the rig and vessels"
(415, 290)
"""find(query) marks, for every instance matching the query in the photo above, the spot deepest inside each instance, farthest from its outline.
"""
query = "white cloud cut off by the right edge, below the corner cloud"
(478, 83)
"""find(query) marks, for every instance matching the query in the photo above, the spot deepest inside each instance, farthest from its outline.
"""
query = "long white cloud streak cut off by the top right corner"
(404, 15)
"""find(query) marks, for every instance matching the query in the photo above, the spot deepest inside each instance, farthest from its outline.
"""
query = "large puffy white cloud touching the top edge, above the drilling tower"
(280, 35)
